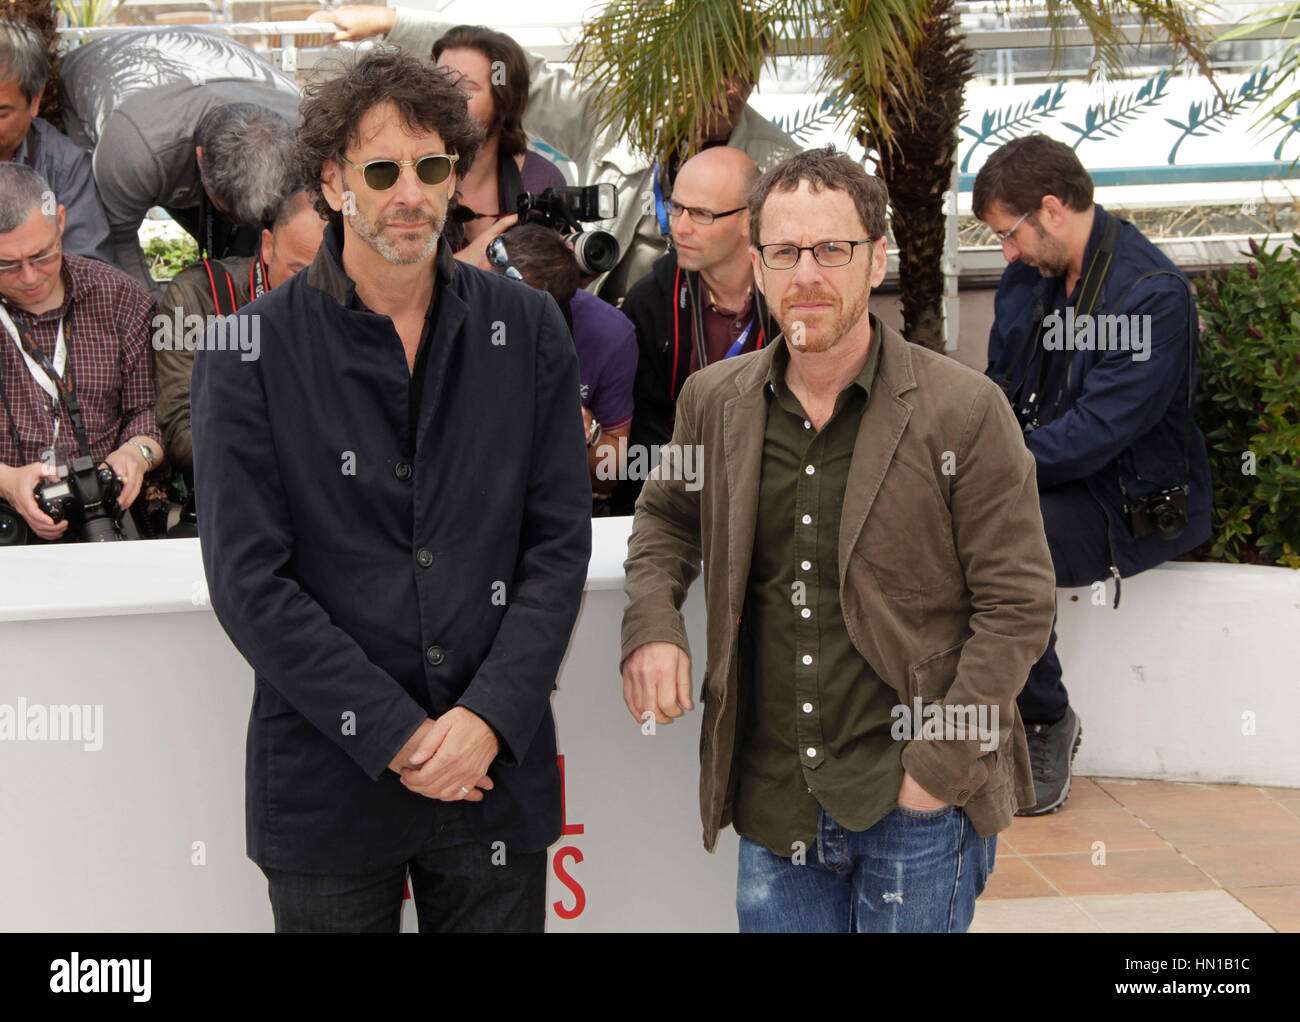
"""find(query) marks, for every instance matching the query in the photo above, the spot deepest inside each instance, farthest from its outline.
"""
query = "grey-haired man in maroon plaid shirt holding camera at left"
(92, 322)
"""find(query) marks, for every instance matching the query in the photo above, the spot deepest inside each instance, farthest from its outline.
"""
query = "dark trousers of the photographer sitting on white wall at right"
(1077, 535)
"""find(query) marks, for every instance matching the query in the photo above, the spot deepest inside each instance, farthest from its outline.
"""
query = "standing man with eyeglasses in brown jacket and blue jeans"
(874, 558)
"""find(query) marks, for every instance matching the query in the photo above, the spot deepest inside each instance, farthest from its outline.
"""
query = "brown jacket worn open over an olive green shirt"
(946, 578)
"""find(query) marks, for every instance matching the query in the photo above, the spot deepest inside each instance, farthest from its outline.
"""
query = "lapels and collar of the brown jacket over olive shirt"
(746, 425)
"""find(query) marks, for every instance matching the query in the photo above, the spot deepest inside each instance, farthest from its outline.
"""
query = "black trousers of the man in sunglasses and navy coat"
(456, 885)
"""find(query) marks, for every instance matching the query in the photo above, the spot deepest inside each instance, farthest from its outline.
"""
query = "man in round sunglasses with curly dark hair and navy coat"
(396, 523)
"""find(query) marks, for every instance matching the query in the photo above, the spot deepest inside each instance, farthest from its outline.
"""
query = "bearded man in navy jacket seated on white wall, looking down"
(1094, 343)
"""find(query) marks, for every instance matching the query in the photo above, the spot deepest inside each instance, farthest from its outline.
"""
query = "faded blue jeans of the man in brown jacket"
(911, 873)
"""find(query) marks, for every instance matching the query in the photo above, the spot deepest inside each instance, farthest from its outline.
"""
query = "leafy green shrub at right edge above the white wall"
(1249, 404)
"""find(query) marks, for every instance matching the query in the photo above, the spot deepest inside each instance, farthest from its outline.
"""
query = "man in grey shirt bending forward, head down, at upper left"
(187, 120)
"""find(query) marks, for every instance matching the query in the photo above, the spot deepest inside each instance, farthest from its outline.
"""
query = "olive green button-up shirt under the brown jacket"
(816, 720)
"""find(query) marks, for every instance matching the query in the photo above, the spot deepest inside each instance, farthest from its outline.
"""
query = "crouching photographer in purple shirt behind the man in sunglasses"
(604, 337)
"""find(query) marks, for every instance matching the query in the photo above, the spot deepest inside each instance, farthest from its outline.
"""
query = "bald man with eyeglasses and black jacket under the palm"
(697, 306)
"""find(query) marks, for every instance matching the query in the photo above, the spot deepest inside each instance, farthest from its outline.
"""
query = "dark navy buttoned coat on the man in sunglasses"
(372, 582)
